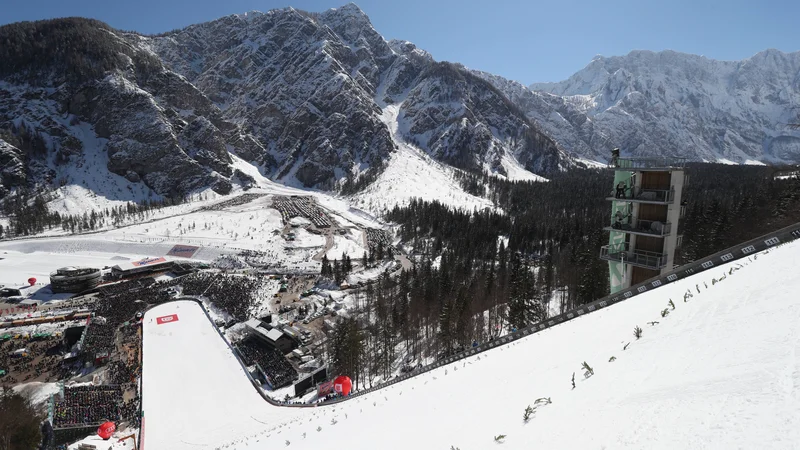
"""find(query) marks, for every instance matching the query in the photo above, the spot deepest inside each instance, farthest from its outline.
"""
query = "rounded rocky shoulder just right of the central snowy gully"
(463, 120)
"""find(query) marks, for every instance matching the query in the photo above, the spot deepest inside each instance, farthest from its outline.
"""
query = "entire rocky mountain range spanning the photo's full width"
(306, 97)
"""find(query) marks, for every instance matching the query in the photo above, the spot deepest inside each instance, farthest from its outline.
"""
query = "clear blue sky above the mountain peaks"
(526, 41)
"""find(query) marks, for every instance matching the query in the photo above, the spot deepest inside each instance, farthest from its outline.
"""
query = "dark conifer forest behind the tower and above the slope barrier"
(480, 273)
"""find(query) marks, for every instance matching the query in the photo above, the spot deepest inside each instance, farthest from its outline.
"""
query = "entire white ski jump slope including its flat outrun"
(196, 394)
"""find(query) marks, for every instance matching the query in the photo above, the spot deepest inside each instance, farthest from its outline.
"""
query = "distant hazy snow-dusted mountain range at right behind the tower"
(650, 103)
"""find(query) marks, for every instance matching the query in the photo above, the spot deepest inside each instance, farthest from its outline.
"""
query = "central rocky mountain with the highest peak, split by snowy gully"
(311, 87)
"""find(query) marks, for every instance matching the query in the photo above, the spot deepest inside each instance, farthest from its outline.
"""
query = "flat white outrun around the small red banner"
(195, 393)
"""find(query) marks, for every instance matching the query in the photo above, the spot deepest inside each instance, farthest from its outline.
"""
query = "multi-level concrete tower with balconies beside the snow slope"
(645, 210)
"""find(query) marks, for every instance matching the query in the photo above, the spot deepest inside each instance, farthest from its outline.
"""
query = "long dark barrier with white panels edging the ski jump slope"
(743, 250)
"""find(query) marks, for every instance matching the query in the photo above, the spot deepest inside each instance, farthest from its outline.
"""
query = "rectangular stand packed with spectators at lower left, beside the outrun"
(87, 405)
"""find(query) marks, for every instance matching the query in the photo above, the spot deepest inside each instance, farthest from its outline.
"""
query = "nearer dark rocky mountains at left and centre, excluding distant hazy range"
(300, 95)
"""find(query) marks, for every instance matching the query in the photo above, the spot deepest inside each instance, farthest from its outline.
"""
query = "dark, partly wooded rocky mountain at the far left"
(105, 96)
